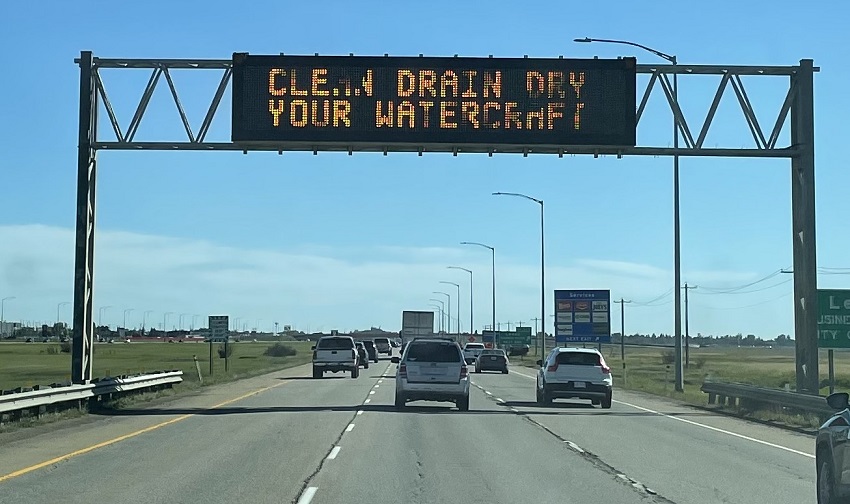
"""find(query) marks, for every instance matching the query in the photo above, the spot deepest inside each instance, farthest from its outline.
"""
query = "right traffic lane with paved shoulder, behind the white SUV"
(677, 455)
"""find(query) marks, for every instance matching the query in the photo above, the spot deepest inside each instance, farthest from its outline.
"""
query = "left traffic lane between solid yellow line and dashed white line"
(259, 449)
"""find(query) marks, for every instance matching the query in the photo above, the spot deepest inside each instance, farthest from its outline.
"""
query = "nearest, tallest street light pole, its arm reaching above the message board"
(677, 272)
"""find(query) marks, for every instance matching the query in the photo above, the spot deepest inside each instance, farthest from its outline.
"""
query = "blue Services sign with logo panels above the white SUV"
(583, 316)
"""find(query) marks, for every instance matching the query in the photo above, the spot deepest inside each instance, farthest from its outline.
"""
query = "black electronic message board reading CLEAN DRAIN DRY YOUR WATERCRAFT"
(433, 104)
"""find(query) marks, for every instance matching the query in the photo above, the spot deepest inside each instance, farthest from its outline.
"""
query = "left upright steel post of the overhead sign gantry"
(83, 332)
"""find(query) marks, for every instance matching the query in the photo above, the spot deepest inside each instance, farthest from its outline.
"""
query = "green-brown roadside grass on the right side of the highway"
(649, 369)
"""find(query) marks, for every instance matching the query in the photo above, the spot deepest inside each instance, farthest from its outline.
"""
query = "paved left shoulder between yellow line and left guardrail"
(22, 448)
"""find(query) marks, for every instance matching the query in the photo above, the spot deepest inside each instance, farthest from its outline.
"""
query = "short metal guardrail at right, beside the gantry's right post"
(734, 393)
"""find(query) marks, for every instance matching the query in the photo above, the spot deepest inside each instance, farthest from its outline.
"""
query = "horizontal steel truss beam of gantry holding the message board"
(766, 145)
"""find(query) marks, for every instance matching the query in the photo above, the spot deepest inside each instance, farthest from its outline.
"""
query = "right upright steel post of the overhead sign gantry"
(803, 228)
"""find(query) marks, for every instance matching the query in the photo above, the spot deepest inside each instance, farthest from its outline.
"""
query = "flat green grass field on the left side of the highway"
(28, 364)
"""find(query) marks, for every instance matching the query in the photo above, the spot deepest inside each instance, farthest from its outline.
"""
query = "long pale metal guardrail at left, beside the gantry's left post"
(47, 396)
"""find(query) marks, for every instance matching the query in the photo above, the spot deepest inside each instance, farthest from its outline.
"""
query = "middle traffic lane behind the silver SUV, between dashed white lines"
(431, 452)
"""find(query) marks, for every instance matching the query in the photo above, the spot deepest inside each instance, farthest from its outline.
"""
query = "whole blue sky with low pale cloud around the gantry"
(333, 241)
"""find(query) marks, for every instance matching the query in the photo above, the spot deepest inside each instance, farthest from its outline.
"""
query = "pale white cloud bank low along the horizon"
(320, 287)
